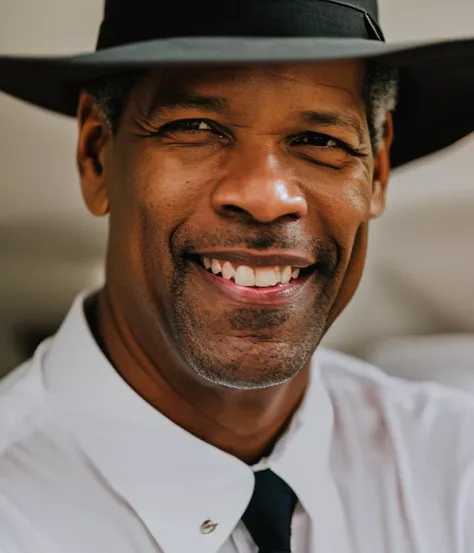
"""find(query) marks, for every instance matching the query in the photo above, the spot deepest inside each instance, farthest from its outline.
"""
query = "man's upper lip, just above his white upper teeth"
(259, 259)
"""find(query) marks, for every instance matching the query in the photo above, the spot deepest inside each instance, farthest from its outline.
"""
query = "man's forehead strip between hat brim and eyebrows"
(341, 81)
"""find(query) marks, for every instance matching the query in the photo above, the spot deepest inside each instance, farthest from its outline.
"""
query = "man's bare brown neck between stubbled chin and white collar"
(243, 423)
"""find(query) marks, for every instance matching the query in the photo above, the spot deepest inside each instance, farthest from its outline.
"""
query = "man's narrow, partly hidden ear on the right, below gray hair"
(381, 171)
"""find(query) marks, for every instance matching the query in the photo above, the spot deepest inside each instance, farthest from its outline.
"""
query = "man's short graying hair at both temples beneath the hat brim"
(381, 91)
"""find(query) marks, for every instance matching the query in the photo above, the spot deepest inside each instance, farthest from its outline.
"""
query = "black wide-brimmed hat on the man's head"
(436, 90)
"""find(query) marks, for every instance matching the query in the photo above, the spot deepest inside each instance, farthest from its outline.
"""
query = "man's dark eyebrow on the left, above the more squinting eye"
(167, 100)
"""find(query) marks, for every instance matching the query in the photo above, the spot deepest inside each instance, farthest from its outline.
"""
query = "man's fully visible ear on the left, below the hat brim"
(94, 141)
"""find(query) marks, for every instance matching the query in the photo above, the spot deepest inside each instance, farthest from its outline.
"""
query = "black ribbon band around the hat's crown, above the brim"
(238, 18)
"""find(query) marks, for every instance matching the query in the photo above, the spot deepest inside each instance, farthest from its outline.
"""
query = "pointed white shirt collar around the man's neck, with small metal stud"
(173, 480)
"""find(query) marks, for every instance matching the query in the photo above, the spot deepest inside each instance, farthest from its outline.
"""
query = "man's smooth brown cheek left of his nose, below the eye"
(159, 193)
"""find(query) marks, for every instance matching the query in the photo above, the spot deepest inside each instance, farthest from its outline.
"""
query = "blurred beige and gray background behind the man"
(414, 312)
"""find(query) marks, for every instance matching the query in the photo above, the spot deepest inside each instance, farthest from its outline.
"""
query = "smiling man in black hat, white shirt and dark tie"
(240, 150)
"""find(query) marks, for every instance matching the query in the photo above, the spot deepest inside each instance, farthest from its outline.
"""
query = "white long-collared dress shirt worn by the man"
(380, 465)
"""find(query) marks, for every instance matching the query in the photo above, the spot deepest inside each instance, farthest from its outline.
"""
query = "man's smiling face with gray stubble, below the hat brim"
(223, 185)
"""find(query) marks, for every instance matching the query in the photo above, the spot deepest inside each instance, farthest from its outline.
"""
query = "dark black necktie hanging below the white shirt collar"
(269, 513)
